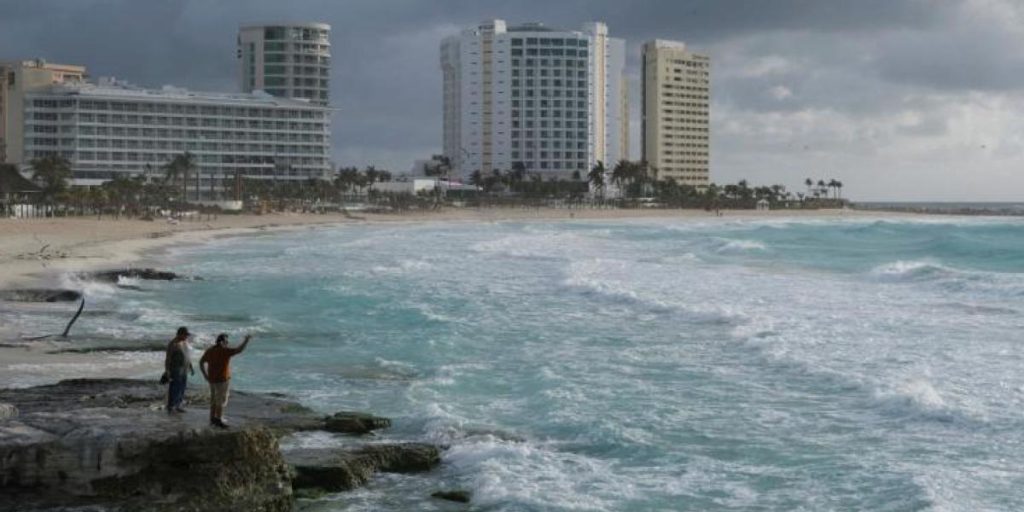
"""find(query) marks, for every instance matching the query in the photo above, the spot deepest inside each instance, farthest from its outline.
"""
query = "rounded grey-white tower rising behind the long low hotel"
(287, 60)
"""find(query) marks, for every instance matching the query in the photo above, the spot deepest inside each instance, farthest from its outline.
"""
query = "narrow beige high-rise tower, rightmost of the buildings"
(676, 112)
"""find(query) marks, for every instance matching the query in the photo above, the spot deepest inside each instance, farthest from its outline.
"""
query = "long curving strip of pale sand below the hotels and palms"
(33, 252)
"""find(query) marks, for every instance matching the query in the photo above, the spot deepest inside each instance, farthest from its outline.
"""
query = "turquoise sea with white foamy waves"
(654, 365)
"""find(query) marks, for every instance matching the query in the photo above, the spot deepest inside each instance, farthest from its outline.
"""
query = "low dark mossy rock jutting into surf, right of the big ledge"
(346, 470)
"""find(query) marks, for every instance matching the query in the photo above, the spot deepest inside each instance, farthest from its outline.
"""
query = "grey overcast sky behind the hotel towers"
(901, 100)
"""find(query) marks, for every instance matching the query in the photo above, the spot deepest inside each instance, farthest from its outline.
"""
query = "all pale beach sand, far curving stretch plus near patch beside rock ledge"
(37, 252)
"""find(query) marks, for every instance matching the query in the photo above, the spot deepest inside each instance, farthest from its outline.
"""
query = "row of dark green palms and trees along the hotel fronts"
(628, 184)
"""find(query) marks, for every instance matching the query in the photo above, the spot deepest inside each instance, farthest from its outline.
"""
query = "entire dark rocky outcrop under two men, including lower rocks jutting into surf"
(108, 445)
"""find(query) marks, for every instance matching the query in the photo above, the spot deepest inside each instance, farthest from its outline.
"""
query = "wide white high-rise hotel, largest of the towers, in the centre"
(550, 101)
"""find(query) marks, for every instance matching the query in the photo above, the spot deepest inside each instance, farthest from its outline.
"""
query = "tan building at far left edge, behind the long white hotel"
(16, 79)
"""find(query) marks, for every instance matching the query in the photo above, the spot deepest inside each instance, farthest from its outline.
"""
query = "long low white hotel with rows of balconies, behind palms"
(112, 129)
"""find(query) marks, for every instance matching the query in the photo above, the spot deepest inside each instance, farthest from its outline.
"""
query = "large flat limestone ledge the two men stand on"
(108, 443)
